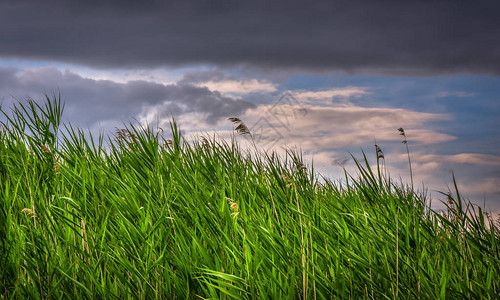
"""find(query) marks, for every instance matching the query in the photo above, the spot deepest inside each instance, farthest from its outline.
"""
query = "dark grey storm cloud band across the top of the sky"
(399, 37)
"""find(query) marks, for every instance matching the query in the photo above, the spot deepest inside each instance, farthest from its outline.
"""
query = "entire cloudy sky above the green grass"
(328, 78)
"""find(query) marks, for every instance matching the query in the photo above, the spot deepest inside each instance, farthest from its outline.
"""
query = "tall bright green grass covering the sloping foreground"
(137, 216)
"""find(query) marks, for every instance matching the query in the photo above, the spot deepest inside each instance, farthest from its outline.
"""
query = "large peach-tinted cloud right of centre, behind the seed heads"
(338, 127)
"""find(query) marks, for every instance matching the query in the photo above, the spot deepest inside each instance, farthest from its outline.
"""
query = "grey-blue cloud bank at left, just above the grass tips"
(90, 101)
